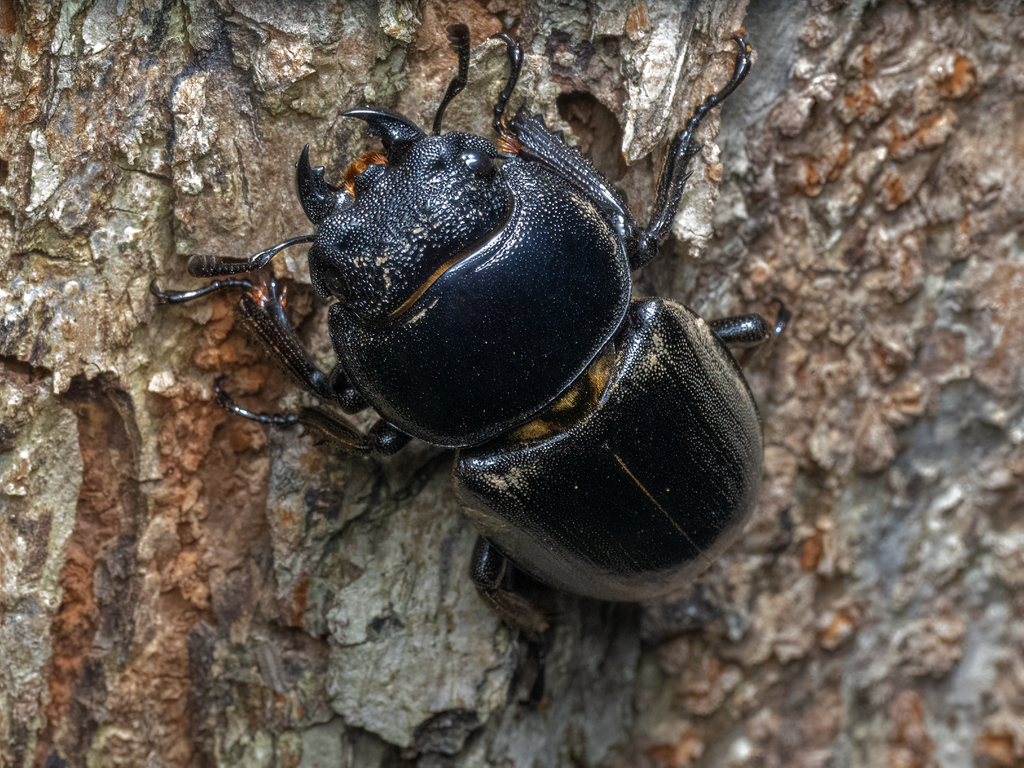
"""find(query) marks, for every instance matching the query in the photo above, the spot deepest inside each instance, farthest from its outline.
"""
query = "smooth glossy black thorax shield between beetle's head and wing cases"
(501, 332)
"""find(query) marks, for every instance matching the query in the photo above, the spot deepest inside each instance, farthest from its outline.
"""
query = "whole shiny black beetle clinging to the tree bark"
(607, 446)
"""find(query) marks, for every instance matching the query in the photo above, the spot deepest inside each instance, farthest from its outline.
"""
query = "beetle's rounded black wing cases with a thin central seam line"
(630, 491)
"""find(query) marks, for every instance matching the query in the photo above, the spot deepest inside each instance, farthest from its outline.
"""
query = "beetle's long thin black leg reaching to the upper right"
(681, 152)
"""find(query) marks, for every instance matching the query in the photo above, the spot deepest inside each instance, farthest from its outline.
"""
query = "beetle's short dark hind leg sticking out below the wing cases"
(496, 580)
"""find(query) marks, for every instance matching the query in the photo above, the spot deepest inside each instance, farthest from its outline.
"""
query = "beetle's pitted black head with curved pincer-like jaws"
(398, 223)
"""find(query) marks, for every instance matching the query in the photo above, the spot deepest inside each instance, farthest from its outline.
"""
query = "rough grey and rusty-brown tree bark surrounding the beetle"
(183, 588)
